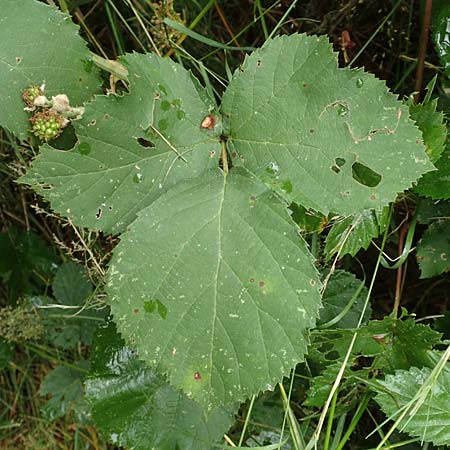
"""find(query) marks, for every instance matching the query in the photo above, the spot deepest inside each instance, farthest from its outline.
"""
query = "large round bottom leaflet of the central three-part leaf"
(217, 274)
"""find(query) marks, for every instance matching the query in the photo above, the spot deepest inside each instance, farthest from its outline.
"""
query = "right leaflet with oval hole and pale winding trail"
(331, 139)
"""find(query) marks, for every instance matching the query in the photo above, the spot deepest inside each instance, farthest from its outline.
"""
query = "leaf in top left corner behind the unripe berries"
(28, 30)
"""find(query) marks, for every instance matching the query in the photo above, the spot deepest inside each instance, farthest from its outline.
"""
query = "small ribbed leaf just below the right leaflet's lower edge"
(351, 234)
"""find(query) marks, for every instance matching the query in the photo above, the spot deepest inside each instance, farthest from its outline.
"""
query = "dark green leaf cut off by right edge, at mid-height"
(433, 250)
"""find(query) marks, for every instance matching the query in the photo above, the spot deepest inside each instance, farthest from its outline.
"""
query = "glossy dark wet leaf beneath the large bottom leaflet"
(138, 409)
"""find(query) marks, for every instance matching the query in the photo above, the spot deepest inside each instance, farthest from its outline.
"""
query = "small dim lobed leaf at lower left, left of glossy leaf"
(64, 385)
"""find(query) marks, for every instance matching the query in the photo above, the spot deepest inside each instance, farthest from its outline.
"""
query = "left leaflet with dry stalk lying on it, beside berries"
(109, 176)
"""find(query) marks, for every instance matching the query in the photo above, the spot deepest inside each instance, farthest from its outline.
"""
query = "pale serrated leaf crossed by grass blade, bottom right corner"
(431, 422)
